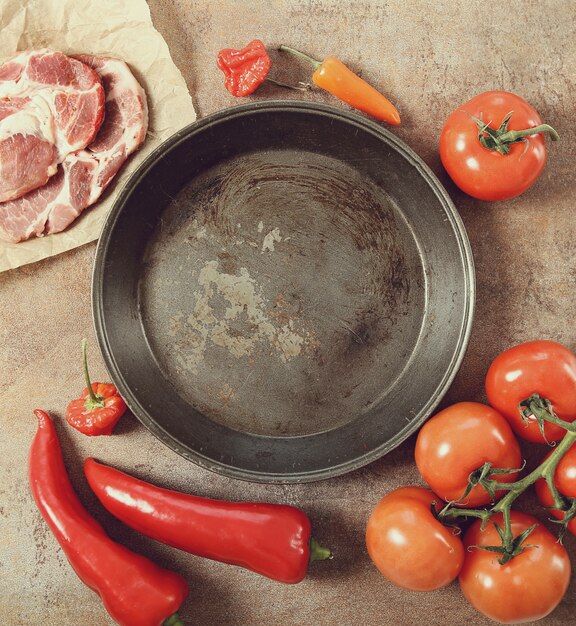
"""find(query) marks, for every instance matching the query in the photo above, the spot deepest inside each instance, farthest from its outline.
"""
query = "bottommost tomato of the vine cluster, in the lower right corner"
(528, 587)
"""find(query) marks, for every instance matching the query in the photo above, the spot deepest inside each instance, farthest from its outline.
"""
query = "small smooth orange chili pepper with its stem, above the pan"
(333, 76)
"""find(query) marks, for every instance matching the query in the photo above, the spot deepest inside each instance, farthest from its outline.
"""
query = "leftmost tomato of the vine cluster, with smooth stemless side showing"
(409, 546)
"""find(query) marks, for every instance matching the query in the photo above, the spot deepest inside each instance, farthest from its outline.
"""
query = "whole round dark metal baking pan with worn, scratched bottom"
(283, 291)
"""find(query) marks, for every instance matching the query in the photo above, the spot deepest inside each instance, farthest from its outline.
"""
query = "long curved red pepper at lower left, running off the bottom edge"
(135, 591)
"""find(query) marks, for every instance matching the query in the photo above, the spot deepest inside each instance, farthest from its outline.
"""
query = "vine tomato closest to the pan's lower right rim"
(459, 440)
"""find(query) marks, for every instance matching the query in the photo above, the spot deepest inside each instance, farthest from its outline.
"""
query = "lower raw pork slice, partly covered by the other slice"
(83, 175)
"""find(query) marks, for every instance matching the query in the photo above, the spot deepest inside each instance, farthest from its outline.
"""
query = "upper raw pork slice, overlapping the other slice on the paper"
(50, 105)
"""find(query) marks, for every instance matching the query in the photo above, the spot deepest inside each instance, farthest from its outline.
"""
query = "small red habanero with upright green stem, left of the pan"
(98, 408)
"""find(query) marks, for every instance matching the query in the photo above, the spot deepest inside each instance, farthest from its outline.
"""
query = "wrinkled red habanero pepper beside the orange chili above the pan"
(244, 69)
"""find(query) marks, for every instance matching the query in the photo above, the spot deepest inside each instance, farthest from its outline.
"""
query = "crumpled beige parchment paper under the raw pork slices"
(121, 29)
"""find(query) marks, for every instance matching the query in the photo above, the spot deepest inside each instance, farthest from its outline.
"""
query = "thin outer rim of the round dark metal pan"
(263, 476)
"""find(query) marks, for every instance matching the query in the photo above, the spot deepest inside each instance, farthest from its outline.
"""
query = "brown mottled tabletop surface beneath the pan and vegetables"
(429, 57)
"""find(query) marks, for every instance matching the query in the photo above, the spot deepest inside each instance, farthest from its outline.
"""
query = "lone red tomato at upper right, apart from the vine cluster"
(483, 173)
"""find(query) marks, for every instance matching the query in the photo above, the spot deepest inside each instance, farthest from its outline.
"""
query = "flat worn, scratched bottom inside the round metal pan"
(283, 294)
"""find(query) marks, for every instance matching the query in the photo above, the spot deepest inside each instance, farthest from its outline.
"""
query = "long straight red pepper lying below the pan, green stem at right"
(271, 539)
